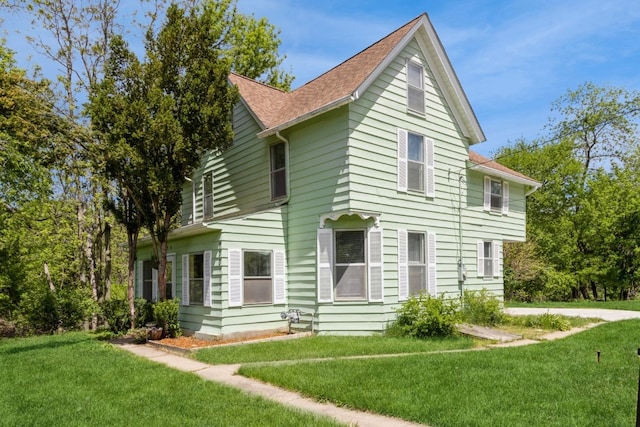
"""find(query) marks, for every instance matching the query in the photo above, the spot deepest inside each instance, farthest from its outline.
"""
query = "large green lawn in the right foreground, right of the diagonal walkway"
(555, 383)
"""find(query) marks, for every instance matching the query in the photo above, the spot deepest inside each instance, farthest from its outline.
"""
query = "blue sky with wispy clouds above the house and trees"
(513, 58)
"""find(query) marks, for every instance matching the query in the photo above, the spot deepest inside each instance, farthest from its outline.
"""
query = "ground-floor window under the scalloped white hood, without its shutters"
(350, 265)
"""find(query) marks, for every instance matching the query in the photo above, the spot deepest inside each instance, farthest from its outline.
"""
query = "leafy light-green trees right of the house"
(579, 220)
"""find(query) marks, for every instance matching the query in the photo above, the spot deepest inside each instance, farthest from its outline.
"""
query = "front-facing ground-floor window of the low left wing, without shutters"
(257, 283)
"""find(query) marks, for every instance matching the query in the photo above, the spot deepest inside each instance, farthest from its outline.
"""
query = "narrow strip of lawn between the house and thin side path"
(326, 347)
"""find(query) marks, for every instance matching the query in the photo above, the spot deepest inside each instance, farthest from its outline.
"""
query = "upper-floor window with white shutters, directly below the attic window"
(416, 163)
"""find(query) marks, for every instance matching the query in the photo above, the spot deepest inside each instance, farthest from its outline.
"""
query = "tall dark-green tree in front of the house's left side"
(158, 117)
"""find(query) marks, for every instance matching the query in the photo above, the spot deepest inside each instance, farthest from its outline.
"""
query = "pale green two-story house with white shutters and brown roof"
(342, 198)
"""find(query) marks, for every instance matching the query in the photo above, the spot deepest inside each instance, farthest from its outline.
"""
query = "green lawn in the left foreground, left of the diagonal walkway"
(75, 380)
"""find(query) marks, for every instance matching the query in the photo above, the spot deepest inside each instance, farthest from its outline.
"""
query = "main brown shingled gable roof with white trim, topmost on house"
(276, 110)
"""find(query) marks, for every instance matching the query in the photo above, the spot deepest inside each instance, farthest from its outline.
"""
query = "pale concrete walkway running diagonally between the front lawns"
(226, 374)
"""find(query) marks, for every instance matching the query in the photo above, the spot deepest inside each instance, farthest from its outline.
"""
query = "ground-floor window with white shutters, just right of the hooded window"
(416, 263)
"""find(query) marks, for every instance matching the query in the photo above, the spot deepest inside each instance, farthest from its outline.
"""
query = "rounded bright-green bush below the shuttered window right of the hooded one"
(425, 316)
